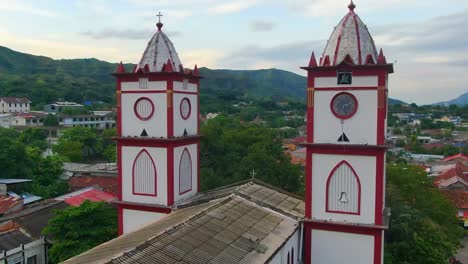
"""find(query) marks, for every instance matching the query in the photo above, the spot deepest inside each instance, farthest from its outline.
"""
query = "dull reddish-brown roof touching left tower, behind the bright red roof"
(108, 184)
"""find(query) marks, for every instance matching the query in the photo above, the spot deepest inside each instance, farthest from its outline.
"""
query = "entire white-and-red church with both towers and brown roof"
(165, 219)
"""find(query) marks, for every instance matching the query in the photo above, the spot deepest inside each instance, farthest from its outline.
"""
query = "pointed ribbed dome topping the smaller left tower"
(159, 51)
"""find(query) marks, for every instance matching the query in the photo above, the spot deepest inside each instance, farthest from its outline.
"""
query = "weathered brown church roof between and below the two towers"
(241, 224)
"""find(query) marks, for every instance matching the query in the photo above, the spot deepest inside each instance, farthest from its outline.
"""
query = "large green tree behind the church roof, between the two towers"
(231, 150)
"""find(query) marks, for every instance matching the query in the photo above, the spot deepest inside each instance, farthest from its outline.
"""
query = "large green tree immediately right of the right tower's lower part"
(423, 227)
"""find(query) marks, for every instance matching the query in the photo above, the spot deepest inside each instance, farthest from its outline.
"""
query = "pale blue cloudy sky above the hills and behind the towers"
(426, 39)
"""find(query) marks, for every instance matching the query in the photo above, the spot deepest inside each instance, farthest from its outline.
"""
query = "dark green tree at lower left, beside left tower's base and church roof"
(77, 229)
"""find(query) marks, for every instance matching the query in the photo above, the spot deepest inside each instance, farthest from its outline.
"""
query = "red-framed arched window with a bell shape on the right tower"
(343, 190)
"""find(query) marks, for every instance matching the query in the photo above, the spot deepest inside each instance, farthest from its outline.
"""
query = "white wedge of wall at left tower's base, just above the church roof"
(135, 219)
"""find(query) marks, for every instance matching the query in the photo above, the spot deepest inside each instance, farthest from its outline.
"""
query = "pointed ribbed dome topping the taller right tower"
(350, 41)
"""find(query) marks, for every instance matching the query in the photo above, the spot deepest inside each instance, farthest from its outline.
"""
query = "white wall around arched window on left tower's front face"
(159, 156)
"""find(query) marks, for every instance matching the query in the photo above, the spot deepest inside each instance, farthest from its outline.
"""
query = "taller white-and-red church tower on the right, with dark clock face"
(345, 162)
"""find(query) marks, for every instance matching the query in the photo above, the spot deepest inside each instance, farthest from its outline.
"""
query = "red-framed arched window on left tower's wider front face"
(144, 175)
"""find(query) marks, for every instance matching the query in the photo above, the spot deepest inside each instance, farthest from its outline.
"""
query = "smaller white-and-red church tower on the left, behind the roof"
(158, 141)
